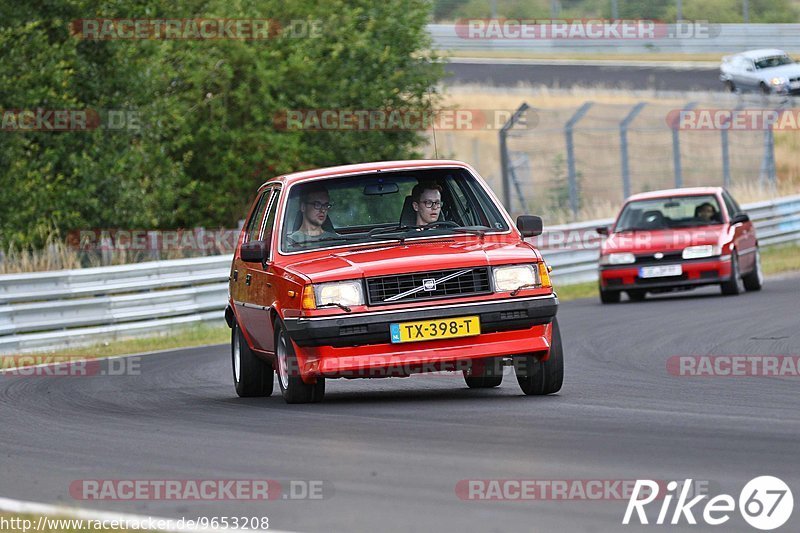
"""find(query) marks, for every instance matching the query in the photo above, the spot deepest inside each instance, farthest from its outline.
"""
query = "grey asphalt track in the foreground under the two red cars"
(392, 451)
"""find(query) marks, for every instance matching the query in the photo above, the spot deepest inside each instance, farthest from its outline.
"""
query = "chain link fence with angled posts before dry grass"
(574, 163)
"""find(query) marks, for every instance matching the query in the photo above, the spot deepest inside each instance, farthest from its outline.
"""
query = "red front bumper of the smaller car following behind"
(696, 272)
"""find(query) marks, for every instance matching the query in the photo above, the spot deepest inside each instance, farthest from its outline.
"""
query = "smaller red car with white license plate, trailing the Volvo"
(679, 239)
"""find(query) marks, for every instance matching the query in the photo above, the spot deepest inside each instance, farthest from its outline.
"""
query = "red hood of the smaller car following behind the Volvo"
(640, 242)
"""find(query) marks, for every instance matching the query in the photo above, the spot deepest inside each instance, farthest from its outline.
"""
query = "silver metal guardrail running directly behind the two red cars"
(56, 310)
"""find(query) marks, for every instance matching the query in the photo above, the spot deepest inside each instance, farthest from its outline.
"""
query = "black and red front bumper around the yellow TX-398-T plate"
(359, 345)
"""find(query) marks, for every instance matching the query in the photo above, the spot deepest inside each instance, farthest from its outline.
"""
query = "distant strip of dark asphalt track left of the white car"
(591, 75)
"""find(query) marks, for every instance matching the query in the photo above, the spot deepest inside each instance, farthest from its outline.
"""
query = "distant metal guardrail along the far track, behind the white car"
(710, 38)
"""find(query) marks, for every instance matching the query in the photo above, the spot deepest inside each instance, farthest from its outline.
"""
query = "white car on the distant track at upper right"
(768, 71)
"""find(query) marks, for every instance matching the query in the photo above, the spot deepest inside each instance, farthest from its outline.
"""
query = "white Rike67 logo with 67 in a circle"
(765, 503)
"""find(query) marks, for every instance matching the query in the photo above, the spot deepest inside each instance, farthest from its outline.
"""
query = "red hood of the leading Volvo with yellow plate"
(414, 256)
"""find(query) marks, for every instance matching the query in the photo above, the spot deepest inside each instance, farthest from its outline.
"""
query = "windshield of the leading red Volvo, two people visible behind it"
(386, 205)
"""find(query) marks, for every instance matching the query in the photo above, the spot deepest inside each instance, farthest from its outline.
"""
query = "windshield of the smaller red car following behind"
(666, 213)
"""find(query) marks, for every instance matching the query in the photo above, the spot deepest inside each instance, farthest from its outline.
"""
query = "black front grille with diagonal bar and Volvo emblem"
(473, 281)
